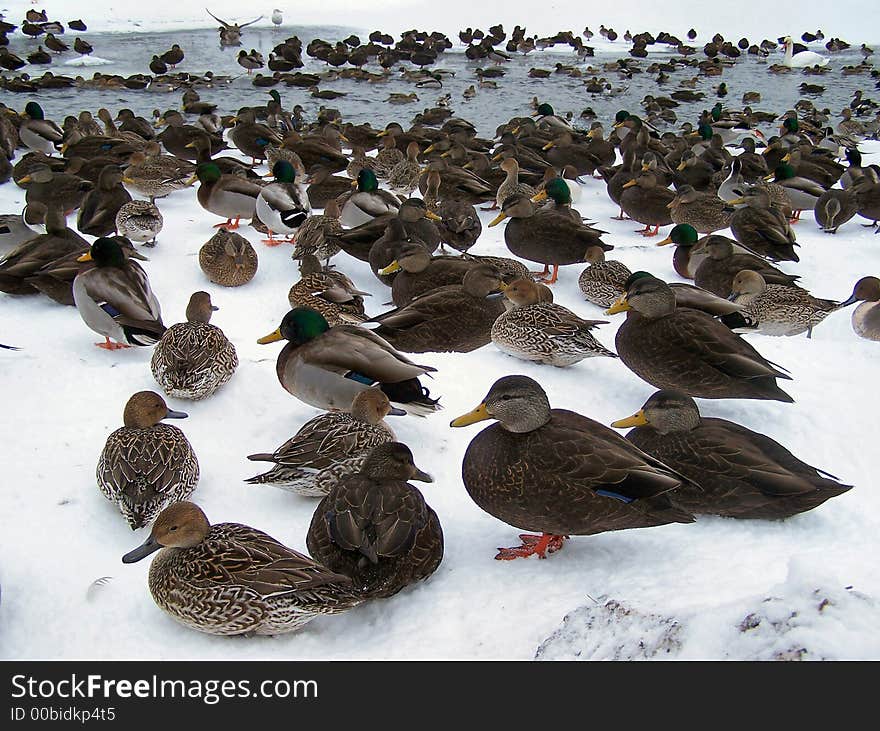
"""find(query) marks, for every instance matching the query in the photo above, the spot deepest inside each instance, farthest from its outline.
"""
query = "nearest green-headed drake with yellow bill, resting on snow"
(325, 367)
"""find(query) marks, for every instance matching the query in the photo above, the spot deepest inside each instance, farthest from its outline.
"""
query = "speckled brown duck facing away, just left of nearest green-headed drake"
(194, 358)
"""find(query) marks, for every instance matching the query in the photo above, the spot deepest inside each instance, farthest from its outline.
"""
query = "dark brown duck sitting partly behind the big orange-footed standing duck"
(742, 473)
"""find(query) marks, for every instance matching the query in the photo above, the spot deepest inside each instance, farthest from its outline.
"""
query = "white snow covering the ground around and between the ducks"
(679, 590)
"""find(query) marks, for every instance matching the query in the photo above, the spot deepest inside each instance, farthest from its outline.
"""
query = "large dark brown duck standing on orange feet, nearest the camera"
(559, 473)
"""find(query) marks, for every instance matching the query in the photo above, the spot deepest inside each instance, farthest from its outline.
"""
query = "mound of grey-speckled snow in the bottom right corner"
(804, 618)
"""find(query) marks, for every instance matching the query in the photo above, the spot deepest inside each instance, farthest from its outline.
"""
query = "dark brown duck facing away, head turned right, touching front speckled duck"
(375, 527)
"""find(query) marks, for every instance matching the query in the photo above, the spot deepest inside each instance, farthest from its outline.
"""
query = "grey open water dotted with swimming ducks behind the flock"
(130, 53)
